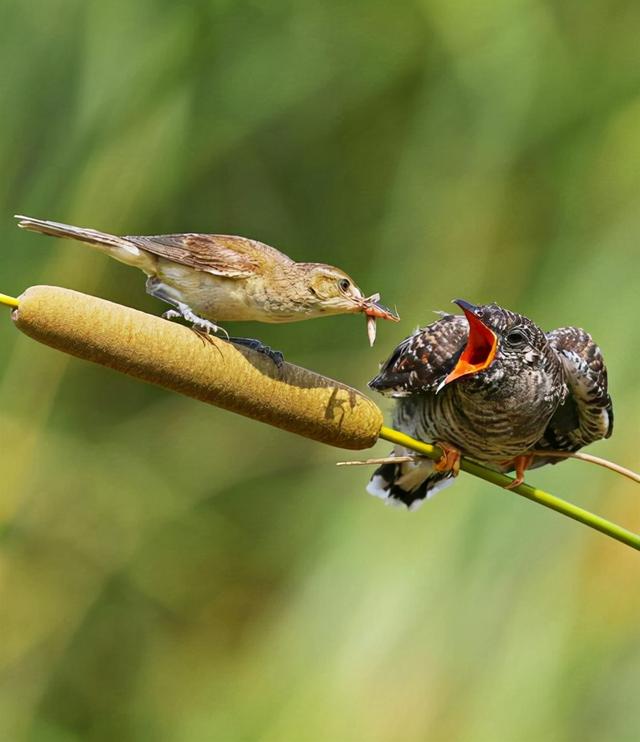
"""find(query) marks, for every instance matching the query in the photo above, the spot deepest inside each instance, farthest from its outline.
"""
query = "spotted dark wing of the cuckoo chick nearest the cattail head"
(421, 361)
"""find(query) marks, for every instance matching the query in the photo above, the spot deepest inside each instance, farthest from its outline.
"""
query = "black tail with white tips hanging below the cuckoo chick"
(408, 483)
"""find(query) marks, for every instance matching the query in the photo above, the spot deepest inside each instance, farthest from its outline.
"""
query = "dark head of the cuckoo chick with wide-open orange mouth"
(499, 342)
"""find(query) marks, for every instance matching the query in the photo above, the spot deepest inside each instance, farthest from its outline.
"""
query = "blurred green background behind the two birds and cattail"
(169, 571)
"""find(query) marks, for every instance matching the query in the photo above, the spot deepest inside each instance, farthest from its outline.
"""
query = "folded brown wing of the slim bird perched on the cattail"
(221, 255)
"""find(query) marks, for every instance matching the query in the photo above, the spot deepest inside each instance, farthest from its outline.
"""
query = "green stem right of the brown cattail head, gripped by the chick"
(531, 493)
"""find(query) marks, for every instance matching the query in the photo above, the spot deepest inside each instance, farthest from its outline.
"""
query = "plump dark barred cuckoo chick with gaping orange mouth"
(493, 386)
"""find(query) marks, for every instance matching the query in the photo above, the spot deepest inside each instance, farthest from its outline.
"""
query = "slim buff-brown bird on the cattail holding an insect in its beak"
(211, 278)
